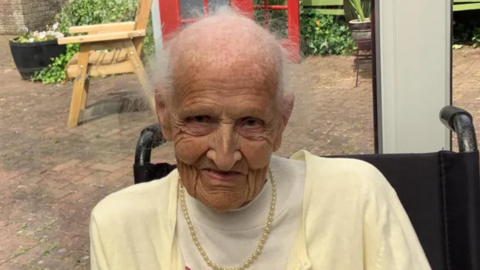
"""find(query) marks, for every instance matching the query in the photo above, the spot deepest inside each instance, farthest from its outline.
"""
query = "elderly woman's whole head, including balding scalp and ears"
(224, 115)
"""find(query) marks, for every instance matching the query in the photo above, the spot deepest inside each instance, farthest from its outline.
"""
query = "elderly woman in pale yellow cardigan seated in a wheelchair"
(232, 204)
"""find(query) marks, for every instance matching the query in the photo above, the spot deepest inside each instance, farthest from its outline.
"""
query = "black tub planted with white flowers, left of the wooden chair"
(34, 51)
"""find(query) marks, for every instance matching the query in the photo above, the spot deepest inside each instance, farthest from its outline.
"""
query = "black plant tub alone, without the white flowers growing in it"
(31, 57)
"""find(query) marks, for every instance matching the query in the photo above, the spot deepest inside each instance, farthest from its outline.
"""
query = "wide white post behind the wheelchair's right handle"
(414, 73)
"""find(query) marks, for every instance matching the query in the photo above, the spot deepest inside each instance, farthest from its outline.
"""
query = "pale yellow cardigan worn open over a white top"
(352, 220)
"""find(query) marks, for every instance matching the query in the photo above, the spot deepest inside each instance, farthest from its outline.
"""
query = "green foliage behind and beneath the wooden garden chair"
(88, 12)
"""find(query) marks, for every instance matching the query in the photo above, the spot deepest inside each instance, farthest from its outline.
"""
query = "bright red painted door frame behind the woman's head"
(171, 19)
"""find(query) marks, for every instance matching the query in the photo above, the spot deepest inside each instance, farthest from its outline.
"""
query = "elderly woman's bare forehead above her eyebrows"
(232, 68)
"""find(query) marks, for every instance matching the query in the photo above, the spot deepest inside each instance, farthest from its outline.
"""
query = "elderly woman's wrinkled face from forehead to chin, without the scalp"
(224, 126)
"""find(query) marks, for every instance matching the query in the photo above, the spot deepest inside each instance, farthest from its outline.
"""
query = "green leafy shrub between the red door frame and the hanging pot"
(324, 34)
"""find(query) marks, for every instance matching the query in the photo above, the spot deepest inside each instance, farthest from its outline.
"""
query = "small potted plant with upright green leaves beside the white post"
(357, 13)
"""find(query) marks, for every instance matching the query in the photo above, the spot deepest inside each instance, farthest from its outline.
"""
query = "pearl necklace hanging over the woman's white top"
(261, 244)
